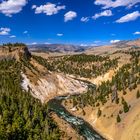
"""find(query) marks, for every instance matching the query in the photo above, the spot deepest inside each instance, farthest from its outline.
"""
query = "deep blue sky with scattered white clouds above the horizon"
(85, 22)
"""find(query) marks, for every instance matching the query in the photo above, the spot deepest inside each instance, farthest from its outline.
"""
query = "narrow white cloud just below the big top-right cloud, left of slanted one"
(105, 13)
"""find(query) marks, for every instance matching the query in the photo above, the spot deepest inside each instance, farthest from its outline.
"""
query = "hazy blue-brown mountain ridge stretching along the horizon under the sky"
(67, 48)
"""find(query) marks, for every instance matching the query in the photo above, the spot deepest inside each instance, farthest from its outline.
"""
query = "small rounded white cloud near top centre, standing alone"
(70, 16)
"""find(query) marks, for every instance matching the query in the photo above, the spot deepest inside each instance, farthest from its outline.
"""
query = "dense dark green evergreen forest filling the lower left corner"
(22, 117)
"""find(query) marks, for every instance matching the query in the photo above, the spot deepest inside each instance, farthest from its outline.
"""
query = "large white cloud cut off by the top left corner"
(10, 7)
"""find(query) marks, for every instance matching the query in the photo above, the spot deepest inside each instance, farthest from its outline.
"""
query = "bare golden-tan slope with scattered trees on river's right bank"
(106, 124)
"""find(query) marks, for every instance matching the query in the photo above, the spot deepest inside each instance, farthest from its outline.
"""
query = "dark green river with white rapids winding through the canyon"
(81, 126)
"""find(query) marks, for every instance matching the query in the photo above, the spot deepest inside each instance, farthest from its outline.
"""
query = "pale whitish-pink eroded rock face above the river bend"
(53, 85)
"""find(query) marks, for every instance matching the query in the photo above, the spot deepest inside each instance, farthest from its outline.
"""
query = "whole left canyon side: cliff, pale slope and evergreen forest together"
(21, 115)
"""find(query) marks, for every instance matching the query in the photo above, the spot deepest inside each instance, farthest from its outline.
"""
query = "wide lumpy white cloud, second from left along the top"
(48, 9)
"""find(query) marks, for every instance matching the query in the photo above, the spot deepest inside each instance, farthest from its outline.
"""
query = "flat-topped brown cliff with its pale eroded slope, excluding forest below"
(42, 83)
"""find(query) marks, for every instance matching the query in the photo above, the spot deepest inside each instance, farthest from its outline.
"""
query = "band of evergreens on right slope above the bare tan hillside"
(126, 77)
